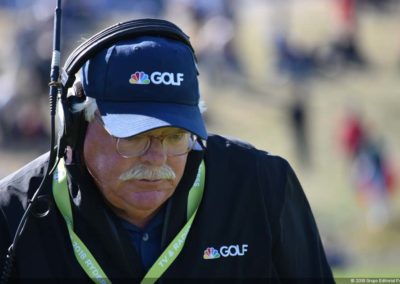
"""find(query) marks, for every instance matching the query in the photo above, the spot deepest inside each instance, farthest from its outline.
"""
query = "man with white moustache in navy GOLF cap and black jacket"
(146, 193)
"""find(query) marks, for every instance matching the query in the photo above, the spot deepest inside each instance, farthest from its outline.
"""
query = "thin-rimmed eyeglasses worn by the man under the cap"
(174, 144)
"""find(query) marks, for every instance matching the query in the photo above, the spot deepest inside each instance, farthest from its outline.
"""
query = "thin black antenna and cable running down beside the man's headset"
(54, 87)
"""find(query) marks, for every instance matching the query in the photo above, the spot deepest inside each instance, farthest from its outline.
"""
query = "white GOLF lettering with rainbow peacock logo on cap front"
(157, 78)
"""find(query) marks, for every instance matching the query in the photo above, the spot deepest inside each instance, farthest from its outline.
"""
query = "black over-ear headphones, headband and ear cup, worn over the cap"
(74, 122)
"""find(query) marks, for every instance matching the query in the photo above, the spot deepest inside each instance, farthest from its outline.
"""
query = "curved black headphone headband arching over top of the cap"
(112, 34)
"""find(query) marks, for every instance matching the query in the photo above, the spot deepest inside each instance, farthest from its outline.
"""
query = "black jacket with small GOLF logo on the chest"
(253, 206)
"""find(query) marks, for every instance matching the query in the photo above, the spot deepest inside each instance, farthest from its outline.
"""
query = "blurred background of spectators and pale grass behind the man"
(314, 81)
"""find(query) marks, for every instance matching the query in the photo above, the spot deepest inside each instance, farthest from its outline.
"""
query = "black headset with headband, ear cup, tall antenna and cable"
(70, 92)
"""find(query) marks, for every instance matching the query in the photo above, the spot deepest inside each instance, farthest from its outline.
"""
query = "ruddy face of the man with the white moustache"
(136, 200)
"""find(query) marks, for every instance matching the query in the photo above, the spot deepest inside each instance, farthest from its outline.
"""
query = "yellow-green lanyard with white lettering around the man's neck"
(82, 253)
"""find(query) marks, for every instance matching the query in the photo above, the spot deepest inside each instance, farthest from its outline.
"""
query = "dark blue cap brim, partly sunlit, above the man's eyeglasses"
(128, 119)
